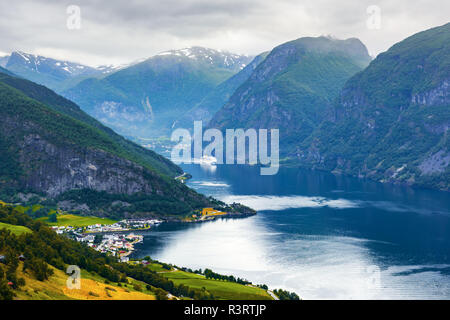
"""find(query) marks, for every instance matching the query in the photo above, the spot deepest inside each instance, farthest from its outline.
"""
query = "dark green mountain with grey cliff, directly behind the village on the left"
(53, 149)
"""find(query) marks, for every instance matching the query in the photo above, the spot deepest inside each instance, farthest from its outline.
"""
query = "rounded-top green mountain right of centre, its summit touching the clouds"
(292, 87)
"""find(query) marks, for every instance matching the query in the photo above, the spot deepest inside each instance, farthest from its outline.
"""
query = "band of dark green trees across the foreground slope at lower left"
(43, 250)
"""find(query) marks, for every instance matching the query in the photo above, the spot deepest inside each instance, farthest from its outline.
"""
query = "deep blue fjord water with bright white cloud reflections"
(320, 235)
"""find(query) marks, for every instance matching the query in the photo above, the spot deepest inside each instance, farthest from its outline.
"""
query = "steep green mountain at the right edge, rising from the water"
(390, 122)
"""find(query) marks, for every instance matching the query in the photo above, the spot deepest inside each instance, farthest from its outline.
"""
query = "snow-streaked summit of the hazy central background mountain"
(218, 58)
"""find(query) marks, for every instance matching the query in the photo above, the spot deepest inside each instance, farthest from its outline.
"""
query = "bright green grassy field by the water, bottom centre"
(220, 289)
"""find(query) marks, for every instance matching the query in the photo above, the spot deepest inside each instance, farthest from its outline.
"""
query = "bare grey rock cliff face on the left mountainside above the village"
(54, 170)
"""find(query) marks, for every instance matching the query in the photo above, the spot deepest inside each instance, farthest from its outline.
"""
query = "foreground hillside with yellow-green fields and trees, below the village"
(33, 264)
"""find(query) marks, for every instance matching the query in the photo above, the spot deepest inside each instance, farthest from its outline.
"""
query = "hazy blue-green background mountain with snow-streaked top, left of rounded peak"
(146, 98)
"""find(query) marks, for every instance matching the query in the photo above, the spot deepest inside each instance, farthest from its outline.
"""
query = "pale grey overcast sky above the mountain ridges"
(113, 31)
